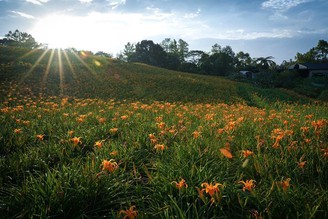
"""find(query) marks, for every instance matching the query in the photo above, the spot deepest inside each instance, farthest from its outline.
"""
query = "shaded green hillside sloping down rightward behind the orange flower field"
(82, 75)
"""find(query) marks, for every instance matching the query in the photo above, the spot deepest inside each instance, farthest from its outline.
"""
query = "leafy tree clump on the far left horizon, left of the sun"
(20, 39)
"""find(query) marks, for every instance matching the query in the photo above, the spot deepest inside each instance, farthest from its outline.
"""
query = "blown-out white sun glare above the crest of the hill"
(93, 31)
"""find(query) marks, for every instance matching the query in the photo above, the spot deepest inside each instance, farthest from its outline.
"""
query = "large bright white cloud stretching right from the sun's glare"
(111, 31)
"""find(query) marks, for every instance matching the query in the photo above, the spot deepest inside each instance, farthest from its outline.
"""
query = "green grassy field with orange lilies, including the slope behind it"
(119, 135)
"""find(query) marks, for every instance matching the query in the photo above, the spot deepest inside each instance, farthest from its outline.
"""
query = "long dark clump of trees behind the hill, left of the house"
(175, 55)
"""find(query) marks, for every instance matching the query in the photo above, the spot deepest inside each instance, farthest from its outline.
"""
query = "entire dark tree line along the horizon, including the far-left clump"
(175, 55)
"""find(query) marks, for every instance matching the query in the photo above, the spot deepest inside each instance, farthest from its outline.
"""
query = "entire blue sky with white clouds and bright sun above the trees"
(278, 28)
